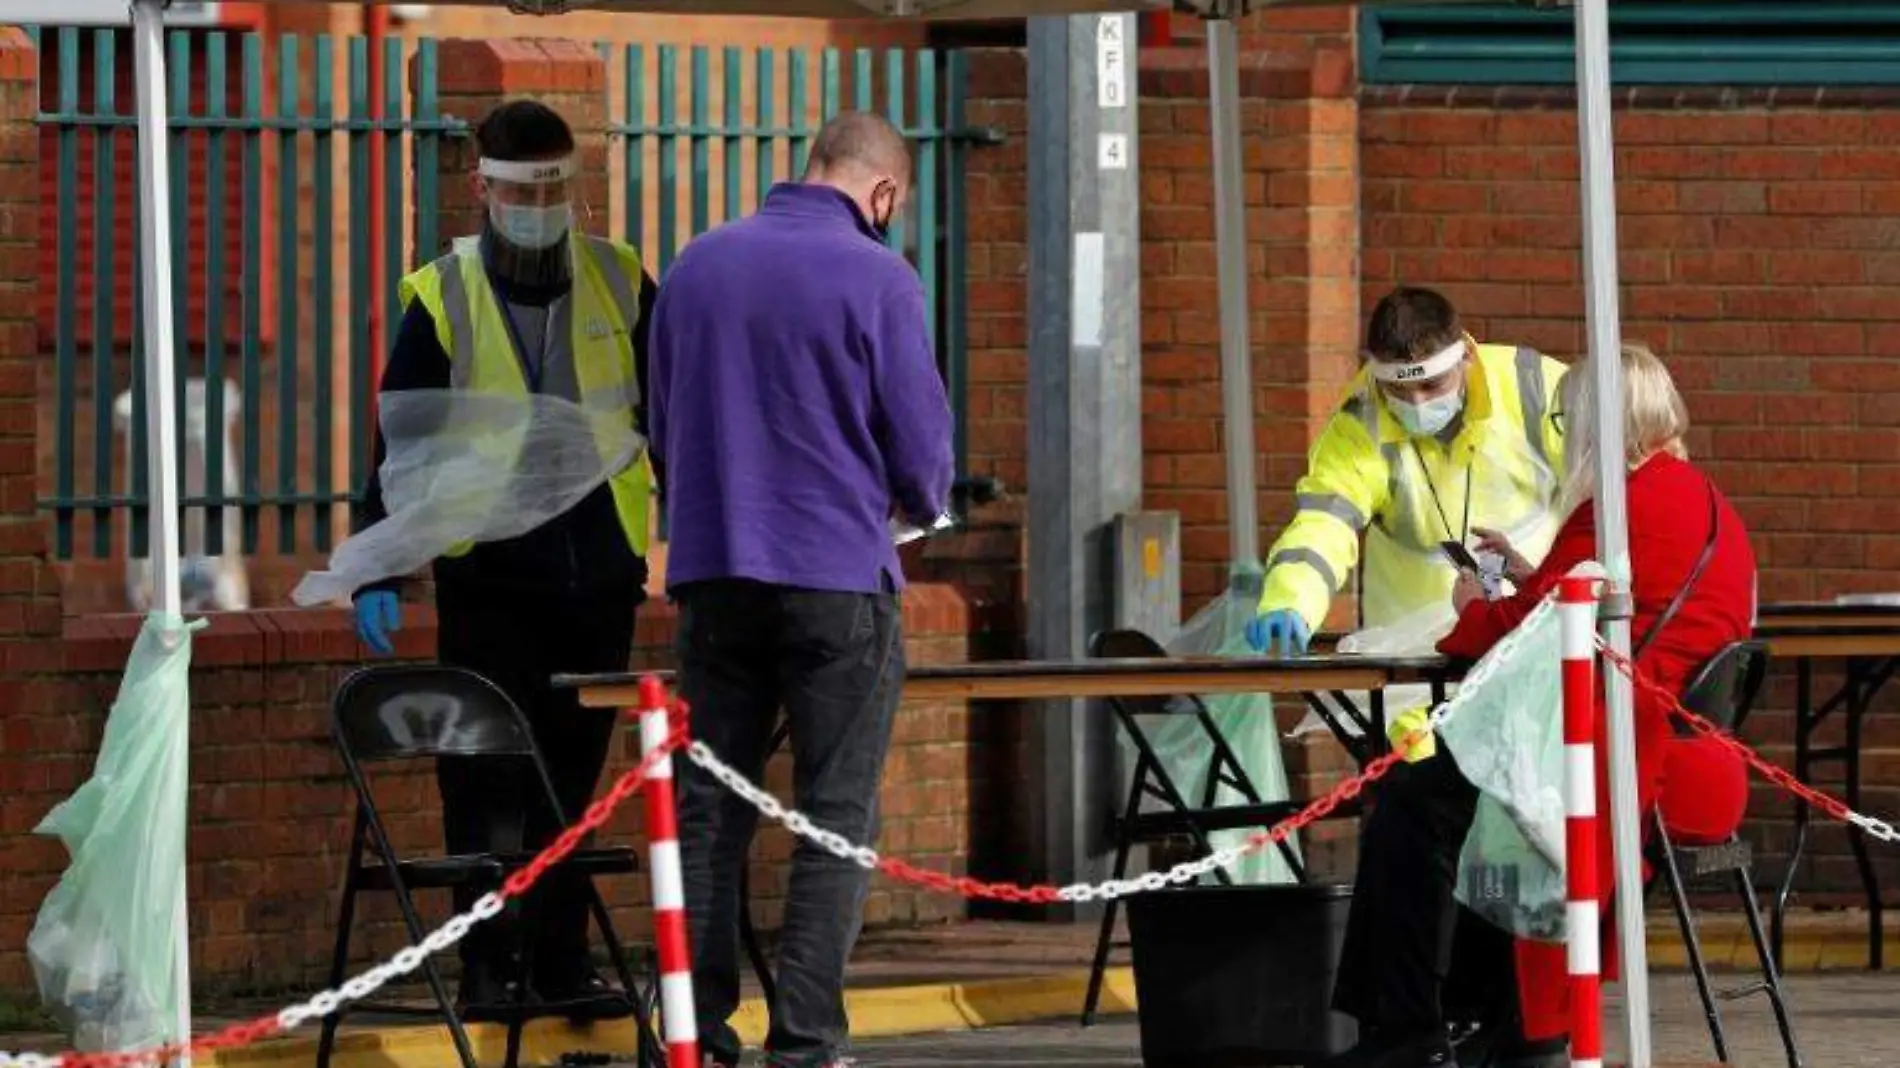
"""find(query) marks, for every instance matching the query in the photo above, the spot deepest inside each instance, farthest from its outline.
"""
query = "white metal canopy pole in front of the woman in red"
(1597, 149)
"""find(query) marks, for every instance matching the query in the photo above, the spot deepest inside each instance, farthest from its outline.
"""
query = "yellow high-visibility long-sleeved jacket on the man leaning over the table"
(1500, 463)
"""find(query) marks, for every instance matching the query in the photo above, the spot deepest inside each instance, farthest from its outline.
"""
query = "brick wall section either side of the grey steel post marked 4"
(1299, 134)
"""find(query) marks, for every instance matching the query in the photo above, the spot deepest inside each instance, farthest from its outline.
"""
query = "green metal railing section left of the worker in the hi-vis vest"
(257, 284)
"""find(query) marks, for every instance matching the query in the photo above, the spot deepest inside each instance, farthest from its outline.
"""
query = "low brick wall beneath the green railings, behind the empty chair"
(271, 805)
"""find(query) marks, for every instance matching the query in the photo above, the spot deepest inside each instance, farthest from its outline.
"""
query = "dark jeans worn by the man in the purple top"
(835, 662)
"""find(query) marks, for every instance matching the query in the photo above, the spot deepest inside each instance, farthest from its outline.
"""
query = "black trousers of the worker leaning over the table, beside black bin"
(1415, 959)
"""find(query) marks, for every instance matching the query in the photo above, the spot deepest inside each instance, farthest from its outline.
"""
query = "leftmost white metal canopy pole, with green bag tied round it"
(155, 273)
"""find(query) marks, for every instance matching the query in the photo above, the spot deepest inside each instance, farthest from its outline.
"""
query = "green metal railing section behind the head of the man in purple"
(770, 111)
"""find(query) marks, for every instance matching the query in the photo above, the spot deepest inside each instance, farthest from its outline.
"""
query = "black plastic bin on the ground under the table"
(1240, 976)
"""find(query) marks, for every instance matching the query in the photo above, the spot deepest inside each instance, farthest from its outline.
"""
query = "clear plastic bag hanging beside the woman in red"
(1510, 742)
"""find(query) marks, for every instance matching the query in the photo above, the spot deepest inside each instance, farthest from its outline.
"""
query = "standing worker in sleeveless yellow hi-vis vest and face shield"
(531, 309)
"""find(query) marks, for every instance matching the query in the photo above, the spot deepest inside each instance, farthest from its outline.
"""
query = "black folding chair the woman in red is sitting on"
(1722, 695)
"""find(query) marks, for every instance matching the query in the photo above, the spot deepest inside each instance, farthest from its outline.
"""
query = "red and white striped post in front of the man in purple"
(670, 890)
